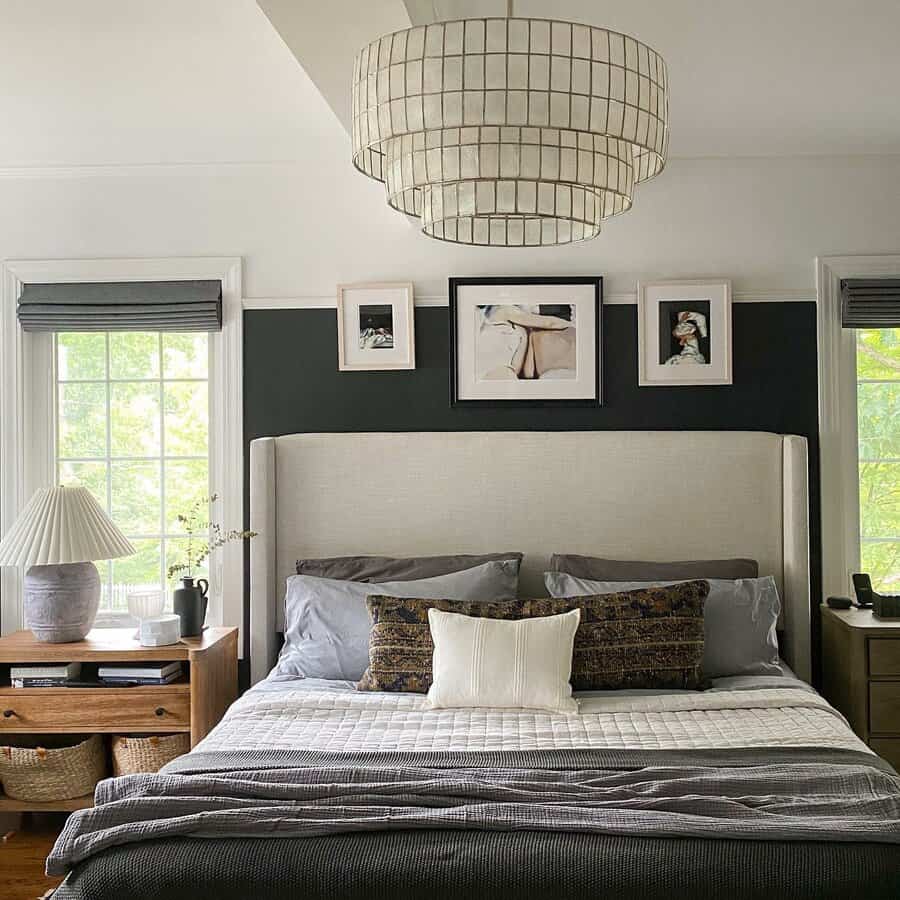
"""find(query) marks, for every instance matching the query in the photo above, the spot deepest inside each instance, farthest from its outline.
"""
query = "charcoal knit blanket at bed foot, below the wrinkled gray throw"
(469, 865)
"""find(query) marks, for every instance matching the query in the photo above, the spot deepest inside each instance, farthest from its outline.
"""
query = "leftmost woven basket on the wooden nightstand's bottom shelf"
(33, 771)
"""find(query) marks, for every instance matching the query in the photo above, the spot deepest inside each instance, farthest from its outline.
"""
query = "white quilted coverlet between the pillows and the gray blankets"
(344, 719)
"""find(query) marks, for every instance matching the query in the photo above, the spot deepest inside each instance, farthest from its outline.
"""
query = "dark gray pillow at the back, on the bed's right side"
(599, 569)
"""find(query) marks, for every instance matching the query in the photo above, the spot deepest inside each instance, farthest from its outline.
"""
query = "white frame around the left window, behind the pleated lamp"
(27, 405)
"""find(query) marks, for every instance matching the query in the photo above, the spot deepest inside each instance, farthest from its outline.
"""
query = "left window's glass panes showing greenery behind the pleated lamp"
(132, 425)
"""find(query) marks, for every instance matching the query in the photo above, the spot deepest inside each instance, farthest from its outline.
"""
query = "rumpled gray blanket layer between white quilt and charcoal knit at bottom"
(774, 796)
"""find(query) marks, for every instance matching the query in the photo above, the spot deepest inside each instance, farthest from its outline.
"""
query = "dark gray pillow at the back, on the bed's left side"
(375, 569)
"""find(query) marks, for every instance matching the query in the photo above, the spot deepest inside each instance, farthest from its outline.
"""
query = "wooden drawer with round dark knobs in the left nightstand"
(95, 709)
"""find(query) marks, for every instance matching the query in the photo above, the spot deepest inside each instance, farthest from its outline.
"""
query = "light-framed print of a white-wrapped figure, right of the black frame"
(684, 333)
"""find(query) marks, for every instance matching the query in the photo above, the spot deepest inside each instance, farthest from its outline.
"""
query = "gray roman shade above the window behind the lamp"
(122, 306)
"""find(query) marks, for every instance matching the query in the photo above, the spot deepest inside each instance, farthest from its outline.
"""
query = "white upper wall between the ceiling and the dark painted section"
(303, 230)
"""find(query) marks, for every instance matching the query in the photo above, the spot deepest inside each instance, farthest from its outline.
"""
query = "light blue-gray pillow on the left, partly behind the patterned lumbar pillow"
(327, 623)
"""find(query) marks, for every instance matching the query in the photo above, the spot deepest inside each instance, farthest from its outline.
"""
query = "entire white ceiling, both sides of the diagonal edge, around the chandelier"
(107, 82)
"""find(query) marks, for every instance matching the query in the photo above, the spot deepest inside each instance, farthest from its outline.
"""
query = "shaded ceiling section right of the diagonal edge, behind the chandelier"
(764, 78)
